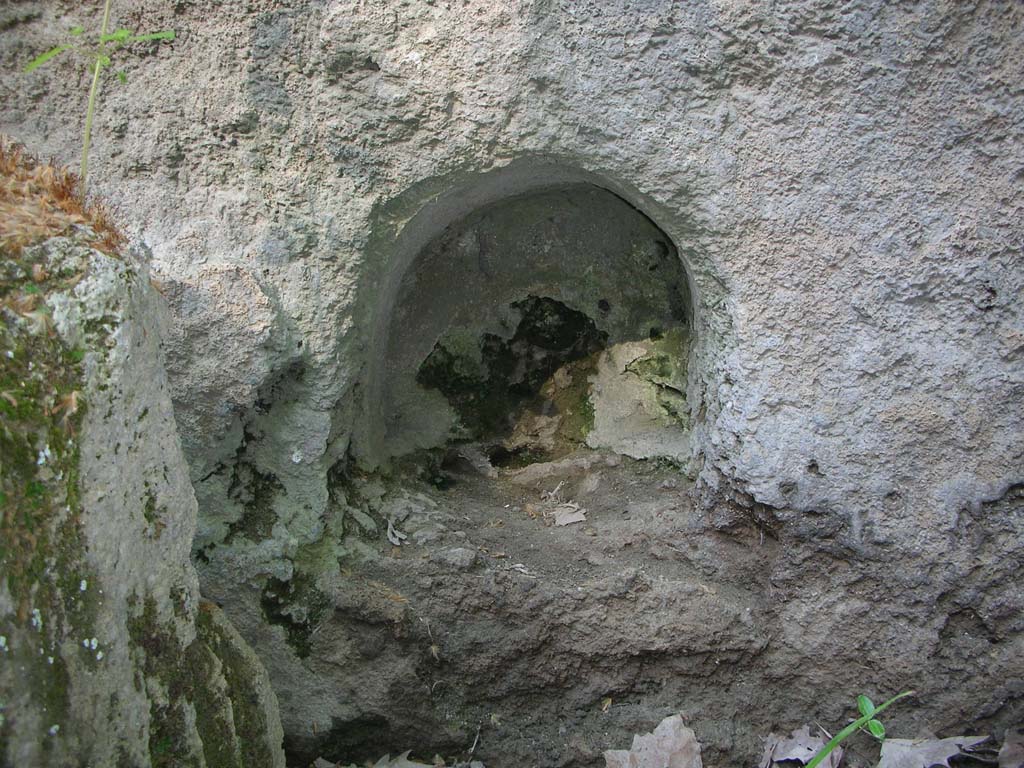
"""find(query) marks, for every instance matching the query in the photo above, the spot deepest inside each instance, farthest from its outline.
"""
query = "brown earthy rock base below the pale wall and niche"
(493, 633)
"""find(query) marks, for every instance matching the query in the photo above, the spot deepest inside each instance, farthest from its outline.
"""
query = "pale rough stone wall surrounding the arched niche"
(840, 182)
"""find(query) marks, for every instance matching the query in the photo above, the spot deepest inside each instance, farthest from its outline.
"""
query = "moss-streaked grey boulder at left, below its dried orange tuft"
(107, 657)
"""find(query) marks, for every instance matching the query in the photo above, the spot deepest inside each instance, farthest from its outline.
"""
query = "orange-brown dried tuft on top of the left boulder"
(40, 201)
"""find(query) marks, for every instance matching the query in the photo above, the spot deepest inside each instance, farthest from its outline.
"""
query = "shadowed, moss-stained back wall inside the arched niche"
(539, 324)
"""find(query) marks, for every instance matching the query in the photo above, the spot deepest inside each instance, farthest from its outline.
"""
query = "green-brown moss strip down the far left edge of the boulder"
(42, 546)
